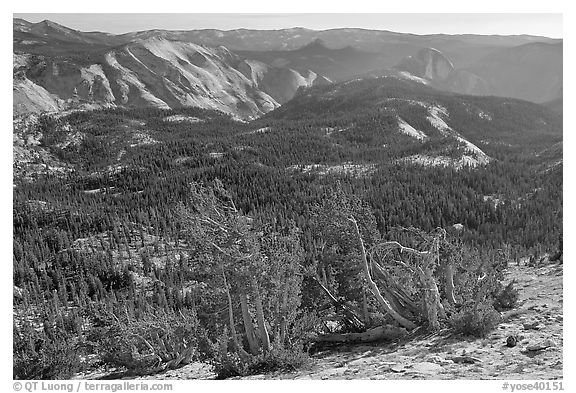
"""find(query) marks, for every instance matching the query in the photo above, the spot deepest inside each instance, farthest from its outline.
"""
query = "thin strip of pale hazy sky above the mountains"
(549, 25)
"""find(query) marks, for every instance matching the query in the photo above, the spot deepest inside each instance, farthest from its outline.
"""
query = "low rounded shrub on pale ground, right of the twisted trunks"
(475, 320)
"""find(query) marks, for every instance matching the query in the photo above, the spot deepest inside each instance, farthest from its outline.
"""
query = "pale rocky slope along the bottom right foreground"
(537, 322)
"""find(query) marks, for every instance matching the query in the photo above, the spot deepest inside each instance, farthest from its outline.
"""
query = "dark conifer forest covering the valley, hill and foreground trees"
(147, 238)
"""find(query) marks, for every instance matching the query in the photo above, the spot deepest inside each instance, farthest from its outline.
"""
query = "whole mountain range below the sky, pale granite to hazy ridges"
(248, 73)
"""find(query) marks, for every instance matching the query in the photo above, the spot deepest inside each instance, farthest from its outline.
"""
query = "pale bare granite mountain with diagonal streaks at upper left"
(155, 73)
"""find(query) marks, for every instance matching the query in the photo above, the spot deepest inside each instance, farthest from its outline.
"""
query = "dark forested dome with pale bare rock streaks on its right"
(422, 125)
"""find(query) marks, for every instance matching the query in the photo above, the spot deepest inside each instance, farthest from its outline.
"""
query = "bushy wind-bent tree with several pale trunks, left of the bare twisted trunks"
(258, 267)
